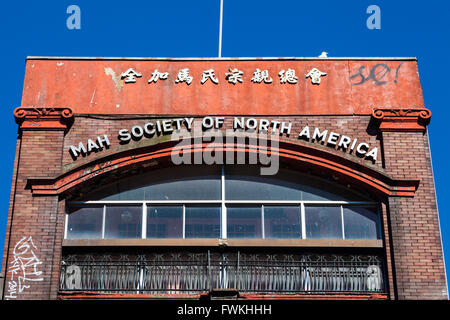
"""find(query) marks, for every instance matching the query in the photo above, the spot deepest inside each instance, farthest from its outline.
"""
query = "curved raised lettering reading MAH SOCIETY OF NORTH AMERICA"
(240, 124)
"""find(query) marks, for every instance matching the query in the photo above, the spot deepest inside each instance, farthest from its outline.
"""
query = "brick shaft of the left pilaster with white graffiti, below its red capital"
(38, 154)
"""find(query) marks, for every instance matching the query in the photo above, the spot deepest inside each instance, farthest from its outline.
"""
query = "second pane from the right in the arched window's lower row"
(323, 222)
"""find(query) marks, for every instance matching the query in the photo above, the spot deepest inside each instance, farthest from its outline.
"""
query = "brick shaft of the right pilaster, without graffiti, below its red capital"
(416, 241)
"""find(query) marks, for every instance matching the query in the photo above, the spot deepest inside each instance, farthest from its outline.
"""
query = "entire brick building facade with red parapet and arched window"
(354, 132)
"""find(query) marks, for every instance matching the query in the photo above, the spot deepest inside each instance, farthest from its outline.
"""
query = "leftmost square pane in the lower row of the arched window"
(85, 223)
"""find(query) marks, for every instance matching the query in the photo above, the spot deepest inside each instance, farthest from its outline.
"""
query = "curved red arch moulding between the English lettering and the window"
(300, 156)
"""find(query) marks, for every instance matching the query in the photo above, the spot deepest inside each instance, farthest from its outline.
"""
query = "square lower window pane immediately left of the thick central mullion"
(202, 222)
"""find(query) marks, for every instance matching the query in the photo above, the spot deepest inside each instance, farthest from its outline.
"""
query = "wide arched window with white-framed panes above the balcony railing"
(223, 202)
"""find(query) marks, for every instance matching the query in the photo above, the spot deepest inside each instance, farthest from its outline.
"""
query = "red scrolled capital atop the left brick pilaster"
(33, 118)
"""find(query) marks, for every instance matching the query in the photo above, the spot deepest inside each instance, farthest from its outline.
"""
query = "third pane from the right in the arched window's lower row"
(282, 222)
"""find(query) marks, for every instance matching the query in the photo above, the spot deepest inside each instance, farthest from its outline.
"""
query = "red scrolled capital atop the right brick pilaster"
(402, 119)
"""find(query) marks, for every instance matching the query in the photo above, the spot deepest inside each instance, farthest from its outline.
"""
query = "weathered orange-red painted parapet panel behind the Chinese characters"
(95, 87)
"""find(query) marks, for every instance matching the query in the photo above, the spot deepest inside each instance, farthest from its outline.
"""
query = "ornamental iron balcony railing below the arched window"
(174, 273)
